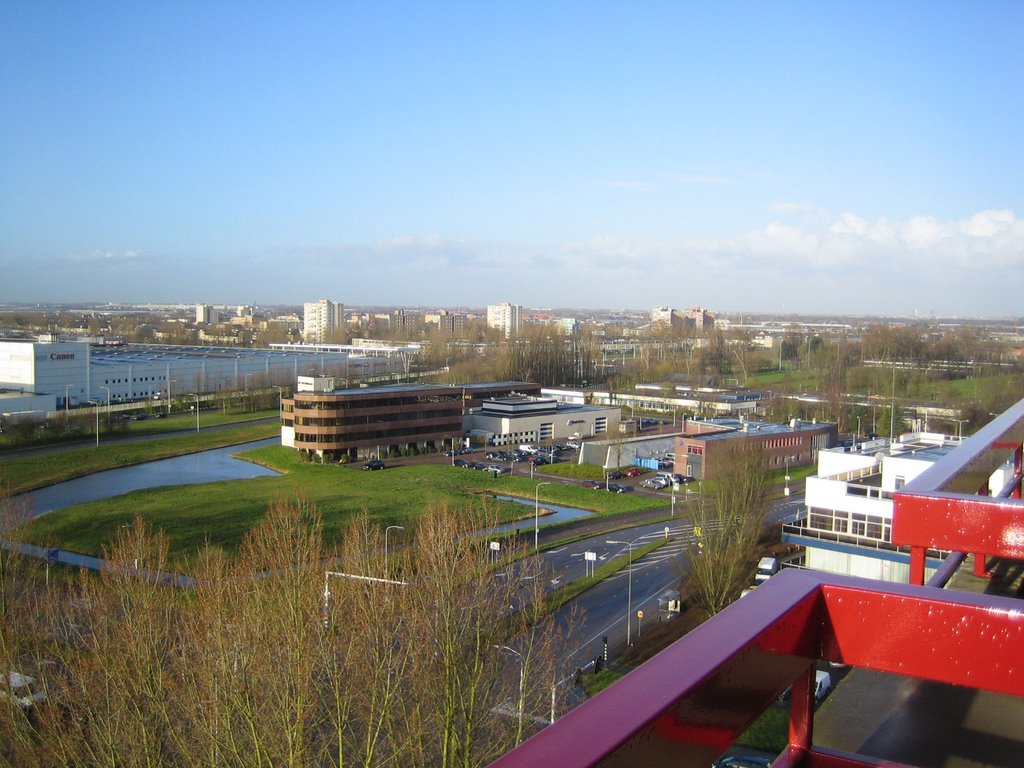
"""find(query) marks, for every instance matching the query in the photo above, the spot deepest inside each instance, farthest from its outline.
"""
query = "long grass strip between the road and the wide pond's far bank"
(20, 476)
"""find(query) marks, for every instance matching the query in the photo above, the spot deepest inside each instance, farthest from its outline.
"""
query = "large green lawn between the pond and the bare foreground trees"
(223, 513)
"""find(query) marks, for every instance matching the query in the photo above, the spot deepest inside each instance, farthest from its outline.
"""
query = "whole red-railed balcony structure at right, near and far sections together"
(691, 703)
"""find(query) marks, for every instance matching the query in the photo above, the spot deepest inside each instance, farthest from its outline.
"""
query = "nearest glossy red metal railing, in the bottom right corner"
(693, 701)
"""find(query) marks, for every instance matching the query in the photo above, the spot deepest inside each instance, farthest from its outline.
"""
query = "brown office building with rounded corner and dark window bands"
(387, 421)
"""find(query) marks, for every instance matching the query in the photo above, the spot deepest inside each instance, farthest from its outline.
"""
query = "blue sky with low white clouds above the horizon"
(810, 157)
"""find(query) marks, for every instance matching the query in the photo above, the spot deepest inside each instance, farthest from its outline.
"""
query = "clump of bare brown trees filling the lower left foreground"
(284, 654)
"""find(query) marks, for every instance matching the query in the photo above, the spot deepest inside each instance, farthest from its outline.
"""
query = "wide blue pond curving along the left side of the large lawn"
(207, 466)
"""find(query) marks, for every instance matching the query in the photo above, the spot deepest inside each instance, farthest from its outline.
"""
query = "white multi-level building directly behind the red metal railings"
(846, 527)
